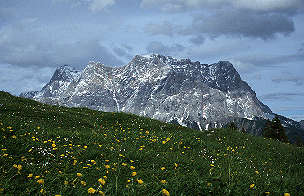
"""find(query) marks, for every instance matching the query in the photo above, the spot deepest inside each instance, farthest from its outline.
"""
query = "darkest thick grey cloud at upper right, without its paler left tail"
(242, 24)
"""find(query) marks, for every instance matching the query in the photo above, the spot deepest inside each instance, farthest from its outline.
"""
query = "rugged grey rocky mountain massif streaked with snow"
(161, 87)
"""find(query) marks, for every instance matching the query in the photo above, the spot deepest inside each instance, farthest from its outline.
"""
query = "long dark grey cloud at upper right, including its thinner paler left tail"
(232, 23)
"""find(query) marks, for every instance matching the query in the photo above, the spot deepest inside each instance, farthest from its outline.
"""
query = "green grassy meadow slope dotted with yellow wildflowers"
(55, 143)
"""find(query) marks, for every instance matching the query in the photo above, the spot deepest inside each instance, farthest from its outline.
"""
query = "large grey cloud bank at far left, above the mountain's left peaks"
(26, 43)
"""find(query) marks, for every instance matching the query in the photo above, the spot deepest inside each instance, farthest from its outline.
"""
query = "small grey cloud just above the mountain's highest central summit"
(158, 47)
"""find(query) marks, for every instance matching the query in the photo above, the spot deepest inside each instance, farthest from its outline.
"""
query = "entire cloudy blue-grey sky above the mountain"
(262, 38)
